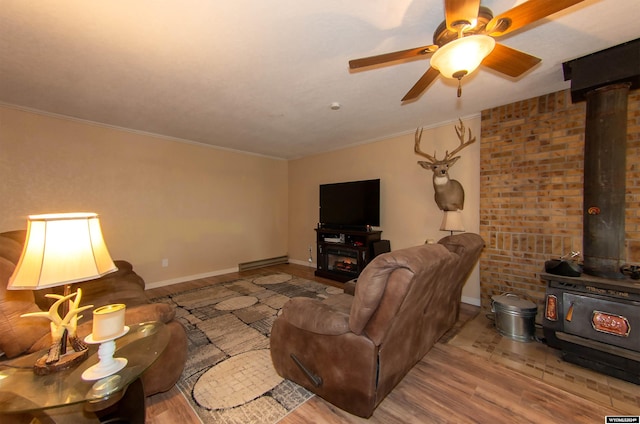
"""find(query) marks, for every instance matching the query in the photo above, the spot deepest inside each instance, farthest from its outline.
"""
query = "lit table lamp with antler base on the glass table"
(59, 250)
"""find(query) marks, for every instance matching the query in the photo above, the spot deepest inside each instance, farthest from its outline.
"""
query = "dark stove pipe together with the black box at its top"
(605, 78)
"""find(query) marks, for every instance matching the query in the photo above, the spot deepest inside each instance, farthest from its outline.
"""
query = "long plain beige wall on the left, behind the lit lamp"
(203, 209)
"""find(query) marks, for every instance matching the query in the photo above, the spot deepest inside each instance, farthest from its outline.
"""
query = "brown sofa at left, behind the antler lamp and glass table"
(25, 335)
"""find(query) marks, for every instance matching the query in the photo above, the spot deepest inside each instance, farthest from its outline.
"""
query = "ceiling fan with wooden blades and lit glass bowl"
(465, 39)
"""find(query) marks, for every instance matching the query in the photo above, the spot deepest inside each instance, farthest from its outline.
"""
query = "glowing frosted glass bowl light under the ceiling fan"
(462, 56)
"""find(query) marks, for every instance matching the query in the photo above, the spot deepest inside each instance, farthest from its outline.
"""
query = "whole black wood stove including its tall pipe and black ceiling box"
(594, 318)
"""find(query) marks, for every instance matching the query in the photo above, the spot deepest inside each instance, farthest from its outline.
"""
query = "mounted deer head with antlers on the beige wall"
(449, 194)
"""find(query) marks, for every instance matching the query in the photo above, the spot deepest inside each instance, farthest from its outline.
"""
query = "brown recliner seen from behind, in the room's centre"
(354, 351)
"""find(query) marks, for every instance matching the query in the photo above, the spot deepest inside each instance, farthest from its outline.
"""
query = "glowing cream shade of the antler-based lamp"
(61, 249)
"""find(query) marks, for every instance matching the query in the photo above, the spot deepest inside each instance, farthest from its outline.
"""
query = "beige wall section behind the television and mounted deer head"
(409, 214)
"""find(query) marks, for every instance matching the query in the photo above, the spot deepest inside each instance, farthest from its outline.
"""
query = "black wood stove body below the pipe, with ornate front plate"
(595, 322)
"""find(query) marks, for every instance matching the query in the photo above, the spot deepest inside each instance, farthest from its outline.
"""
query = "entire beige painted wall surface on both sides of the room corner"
(206, 210)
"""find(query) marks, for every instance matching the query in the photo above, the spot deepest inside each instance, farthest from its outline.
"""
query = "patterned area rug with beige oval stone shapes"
(229, 376)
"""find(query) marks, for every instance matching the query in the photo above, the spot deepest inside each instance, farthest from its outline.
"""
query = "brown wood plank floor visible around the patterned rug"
(448, 385)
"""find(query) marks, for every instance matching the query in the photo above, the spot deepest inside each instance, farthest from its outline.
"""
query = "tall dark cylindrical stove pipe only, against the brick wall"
(605, 180)
